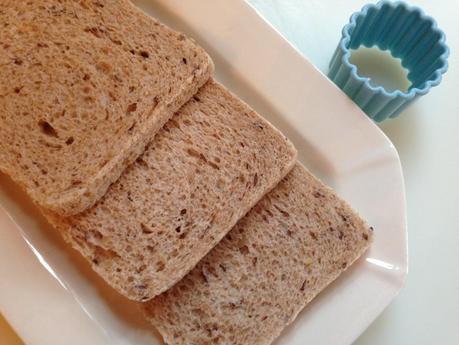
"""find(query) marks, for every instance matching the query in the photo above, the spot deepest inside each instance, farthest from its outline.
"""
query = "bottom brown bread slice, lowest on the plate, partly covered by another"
(254, 283)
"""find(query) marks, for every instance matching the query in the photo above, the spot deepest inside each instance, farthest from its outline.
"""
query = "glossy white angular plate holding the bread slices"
(50, 295)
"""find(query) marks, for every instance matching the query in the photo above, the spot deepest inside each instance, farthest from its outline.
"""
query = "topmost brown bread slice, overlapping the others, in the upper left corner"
(84, 85)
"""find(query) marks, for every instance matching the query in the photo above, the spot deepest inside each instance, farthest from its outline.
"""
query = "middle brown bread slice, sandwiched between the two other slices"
(211, 163)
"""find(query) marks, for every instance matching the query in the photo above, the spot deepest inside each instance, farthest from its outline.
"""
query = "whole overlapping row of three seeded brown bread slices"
(177, 193)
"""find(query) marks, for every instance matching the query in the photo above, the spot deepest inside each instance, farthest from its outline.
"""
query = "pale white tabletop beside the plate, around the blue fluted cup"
(426, 135)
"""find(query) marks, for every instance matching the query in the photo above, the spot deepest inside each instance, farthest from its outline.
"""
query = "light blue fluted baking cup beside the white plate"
(409, 35)
